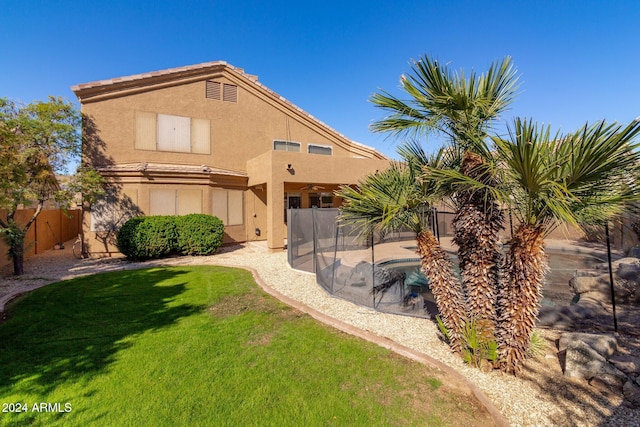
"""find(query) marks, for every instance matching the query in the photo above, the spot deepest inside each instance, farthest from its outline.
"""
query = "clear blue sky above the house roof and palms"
(578, 60)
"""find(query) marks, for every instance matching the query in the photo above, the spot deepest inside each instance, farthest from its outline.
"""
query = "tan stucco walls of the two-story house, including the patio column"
(242, 135)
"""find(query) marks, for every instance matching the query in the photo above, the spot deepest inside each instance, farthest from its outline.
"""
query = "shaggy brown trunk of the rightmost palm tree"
(519, 297)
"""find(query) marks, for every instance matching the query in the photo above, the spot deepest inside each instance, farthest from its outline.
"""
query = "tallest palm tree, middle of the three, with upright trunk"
(463, 109)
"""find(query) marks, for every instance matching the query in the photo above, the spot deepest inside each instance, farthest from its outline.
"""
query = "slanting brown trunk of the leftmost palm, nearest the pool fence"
(444, 285)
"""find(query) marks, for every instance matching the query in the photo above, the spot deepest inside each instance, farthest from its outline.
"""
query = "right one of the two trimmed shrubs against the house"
(199, 234)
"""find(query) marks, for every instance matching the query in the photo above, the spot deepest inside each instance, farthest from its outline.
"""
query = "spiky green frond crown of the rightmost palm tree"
(554, 176)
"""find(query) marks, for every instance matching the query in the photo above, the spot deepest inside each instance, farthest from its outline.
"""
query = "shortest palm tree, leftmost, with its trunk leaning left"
(397, 199)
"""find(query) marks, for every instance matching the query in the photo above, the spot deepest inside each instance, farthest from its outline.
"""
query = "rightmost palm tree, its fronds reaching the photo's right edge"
(552, 179)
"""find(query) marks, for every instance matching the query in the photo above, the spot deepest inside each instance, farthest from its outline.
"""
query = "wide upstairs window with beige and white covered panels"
(165, 132)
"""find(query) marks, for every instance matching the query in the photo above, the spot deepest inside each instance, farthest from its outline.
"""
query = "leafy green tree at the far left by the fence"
(37, 140)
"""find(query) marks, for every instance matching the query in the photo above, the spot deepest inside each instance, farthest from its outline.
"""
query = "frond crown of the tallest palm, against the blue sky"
(440, 100)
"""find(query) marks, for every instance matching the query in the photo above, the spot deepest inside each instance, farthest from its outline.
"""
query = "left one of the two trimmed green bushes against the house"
(147, 237)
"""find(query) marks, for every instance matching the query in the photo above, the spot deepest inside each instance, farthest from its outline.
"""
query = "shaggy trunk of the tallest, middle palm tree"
(477, 222)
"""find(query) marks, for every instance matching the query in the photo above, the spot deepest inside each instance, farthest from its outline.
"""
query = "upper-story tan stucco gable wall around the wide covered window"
(239, 131)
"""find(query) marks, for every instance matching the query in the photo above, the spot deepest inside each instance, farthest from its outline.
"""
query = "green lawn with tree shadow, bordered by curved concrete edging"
(202, 346)
